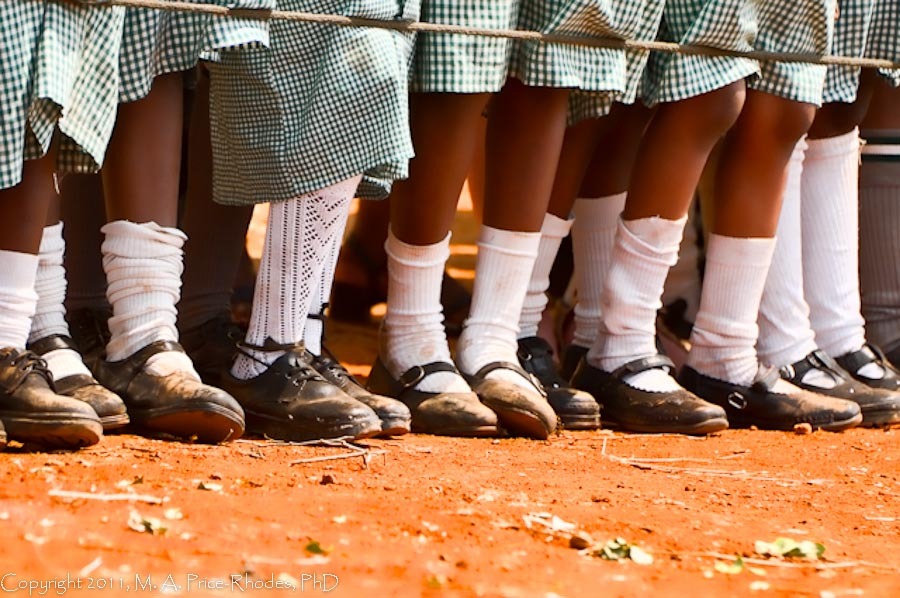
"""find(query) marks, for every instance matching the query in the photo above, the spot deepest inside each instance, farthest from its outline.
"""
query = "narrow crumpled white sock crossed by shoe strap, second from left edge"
(50, 315)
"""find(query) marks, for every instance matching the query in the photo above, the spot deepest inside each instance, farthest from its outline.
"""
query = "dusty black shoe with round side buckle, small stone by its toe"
(759, 405)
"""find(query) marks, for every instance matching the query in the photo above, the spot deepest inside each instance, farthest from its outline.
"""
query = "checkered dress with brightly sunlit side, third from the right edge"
(798, 27)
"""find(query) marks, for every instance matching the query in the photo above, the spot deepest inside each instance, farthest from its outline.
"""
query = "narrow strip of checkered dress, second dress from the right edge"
(850, 34)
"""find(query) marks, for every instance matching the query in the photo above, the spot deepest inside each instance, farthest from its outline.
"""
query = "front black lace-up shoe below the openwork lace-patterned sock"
(291, 401)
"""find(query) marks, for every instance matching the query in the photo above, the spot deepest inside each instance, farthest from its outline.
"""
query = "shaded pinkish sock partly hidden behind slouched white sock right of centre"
(593, 238)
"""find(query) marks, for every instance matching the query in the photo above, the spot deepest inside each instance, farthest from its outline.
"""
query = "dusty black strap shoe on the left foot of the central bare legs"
(443, 414)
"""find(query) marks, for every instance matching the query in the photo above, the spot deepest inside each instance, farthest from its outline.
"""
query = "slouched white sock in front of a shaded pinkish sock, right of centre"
(644, 251)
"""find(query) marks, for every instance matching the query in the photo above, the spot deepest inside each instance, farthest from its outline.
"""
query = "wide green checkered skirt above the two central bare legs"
(465, 64)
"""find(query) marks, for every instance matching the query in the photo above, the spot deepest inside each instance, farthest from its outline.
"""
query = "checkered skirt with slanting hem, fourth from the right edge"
(724, 24)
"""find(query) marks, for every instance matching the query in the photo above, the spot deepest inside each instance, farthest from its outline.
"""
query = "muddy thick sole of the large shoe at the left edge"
(67, 432)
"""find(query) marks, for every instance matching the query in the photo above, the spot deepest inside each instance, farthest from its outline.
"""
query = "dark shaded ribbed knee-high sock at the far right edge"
(879, 248)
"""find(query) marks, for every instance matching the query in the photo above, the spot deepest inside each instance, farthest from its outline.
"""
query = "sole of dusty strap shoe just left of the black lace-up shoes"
(208, 423)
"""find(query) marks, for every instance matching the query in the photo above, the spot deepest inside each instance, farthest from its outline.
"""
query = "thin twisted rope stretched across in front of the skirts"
(547, 38)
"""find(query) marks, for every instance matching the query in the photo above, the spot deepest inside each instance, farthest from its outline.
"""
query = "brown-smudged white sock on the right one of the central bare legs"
(502, 271)
